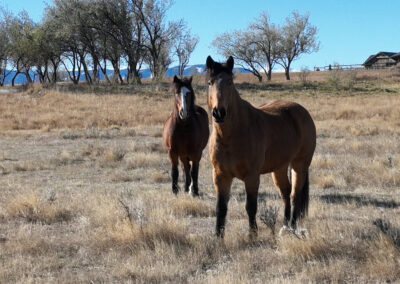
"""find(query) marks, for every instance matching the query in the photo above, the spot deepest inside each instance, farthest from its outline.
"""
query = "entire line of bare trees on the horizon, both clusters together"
(86, 37)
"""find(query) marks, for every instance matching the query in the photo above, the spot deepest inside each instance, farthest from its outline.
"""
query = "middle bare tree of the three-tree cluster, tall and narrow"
(266, 37)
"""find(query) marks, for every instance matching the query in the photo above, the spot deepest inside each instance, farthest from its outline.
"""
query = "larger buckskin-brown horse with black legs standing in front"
(247, 141)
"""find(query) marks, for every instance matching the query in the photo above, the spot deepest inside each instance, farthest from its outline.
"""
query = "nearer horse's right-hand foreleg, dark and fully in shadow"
(252, 185)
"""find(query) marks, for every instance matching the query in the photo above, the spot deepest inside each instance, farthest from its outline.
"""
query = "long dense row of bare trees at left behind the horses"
(88, 36)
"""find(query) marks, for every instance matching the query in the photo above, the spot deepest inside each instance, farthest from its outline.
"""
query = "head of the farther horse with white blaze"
(184, 96)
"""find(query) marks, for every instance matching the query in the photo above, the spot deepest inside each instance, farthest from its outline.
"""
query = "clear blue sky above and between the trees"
(349, 30)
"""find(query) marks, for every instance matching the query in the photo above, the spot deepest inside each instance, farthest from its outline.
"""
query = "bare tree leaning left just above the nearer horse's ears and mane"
(241, 46)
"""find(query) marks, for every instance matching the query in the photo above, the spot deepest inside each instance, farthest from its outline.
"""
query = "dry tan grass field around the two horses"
(85, 192)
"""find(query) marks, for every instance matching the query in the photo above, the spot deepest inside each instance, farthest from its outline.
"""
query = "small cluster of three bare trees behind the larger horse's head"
(263, 44)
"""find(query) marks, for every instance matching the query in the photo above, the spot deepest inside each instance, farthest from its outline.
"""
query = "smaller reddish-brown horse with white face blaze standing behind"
(185, 135)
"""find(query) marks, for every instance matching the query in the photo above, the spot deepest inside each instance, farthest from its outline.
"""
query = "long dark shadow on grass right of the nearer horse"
(358, 200)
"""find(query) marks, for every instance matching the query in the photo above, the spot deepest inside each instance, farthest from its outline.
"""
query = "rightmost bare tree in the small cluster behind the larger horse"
(298, 37)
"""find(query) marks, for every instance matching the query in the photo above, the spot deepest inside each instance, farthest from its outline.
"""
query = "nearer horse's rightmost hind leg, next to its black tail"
(299, 196)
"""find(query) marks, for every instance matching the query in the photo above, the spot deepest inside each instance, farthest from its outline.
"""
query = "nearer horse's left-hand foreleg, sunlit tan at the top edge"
(222, 186)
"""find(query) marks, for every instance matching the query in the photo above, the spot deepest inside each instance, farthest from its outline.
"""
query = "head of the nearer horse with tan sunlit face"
(221, 88)
